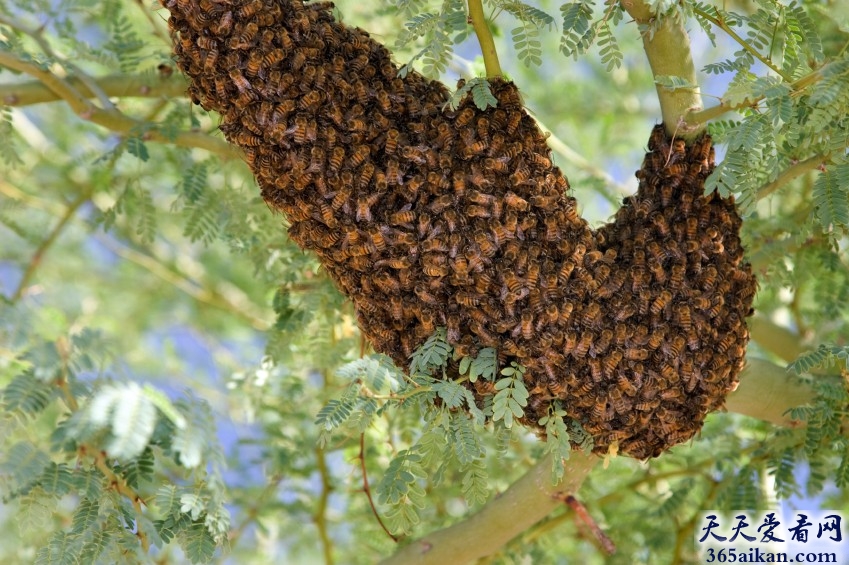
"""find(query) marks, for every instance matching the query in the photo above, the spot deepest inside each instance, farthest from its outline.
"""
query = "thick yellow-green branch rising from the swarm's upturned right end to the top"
(668, 51)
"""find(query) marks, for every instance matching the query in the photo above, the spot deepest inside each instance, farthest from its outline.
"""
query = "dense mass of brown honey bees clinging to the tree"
(430, 217)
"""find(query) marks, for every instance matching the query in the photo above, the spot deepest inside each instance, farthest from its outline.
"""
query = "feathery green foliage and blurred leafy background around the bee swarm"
(179, 382)
